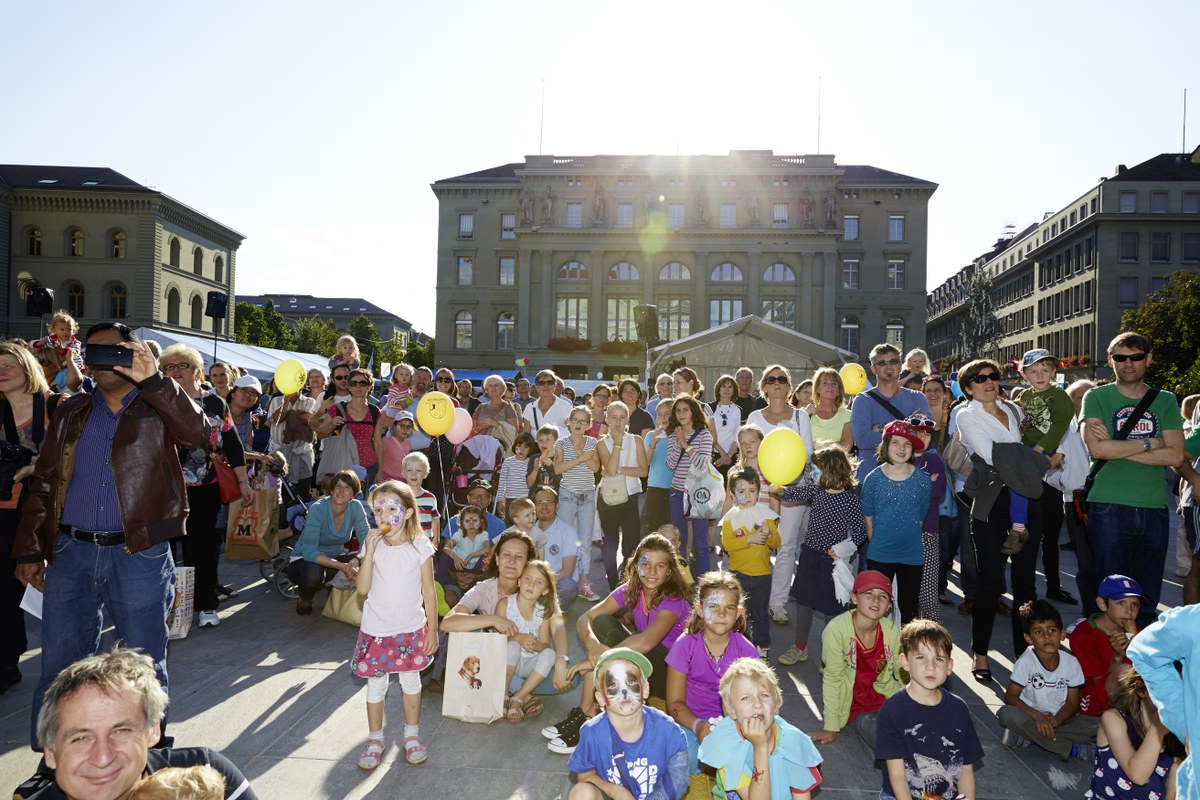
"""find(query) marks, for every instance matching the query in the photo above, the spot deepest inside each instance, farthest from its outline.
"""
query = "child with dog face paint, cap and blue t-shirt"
(653, 759)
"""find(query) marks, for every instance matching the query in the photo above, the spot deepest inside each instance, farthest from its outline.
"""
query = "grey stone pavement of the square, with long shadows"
(275, 694)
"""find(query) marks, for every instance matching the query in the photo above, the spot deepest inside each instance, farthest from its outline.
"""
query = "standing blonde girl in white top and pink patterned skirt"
(400, 617)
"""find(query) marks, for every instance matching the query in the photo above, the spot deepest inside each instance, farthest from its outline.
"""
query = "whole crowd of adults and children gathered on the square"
(123, 462)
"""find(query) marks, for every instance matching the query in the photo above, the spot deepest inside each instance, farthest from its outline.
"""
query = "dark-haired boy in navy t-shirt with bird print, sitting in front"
(926, 735)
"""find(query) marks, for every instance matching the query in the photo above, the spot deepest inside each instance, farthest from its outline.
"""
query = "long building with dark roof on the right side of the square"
(1064, 284)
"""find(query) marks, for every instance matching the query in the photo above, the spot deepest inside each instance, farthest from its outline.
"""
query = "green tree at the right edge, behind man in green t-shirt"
(1171, 318)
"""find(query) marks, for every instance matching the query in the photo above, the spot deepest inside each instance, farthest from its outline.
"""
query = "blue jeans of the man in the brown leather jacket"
(137, 590)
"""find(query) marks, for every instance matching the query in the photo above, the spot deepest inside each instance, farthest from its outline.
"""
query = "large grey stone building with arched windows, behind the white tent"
(548, 260)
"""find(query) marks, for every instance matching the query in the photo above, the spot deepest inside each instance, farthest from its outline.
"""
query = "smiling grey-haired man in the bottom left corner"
(99, 724)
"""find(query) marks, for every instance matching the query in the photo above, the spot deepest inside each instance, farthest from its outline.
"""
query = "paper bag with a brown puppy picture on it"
(475, 679)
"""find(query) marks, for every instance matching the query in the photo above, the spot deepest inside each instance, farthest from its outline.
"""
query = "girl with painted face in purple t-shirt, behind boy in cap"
(715, 640)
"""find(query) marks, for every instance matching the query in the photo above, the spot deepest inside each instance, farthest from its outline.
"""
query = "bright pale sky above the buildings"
(316, 129)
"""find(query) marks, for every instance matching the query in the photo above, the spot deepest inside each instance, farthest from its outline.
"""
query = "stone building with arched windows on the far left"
(111, 250)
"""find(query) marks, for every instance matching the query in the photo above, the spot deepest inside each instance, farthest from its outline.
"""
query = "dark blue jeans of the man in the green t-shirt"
(1133, 543)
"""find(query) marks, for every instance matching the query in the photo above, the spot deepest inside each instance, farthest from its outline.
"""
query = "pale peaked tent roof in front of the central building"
(747, 342)
